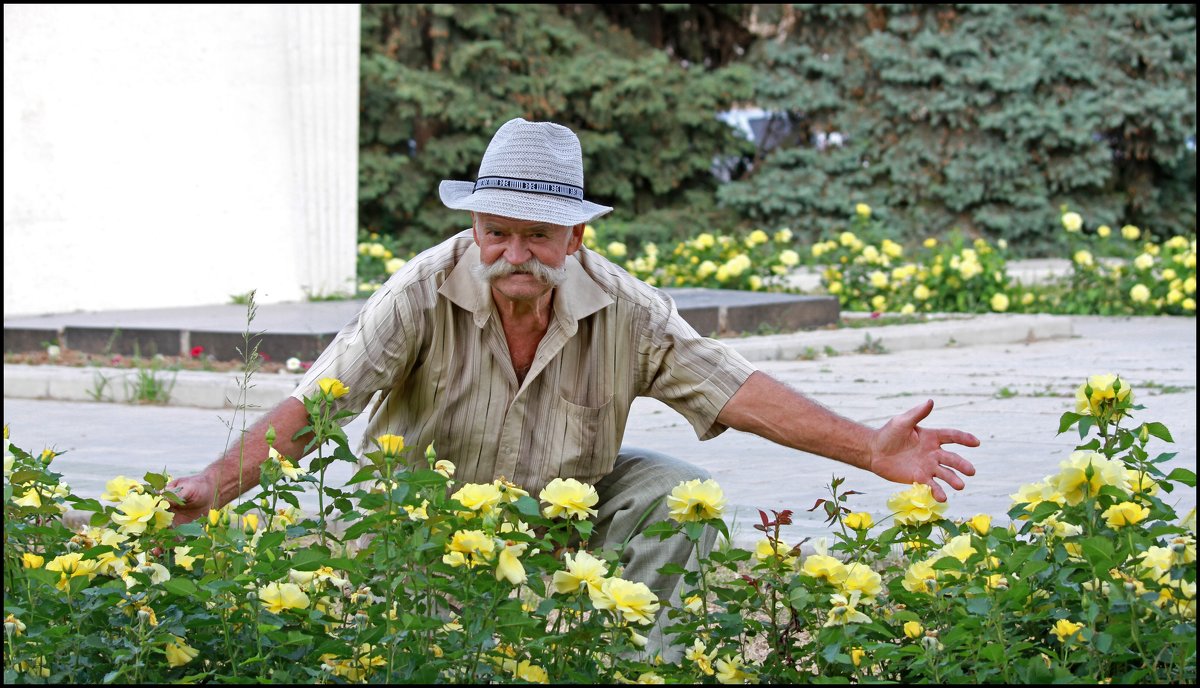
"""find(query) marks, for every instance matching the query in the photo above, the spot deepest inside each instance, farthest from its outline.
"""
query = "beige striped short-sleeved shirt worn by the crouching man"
(431, 344)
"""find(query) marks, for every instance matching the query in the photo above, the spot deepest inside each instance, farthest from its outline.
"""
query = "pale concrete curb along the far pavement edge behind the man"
(221, 391)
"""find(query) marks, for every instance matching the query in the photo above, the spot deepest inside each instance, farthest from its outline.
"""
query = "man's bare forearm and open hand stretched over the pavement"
(902, 451)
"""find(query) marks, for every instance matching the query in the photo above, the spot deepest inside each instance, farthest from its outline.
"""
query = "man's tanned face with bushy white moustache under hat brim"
(531, 248)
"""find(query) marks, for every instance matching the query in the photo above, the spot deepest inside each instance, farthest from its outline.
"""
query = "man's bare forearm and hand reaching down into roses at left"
(237, 472)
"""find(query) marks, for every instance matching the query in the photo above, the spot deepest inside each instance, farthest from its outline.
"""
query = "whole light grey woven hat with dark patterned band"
(531, 171)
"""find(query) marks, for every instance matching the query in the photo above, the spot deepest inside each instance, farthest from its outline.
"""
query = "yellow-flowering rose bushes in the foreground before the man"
(403, 577)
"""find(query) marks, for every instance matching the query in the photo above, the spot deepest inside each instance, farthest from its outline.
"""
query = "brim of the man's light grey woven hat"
(520, 205)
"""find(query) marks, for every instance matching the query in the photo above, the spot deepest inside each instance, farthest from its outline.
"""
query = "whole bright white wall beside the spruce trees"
(175, 155)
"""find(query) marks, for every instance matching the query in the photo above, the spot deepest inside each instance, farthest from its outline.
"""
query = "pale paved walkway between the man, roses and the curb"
(1010, 393)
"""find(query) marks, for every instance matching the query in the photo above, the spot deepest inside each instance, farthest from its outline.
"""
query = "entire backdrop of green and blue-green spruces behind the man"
(986, 118)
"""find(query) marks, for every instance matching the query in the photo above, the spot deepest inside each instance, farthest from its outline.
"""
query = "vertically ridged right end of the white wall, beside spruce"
(323, 76)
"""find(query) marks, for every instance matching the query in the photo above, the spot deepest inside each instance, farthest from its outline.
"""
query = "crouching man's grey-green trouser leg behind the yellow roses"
(643, 480)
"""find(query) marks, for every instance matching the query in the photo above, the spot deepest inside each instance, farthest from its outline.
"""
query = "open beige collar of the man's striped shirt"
(578, 298)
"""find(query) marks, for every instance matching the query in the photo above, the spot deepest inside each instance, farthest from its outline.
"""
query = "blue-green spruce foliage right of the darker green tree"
(977, 117)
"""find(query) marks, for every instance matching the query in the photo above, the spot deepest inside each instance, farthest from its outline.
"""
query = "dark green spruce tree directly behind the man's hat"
(440, 80)
